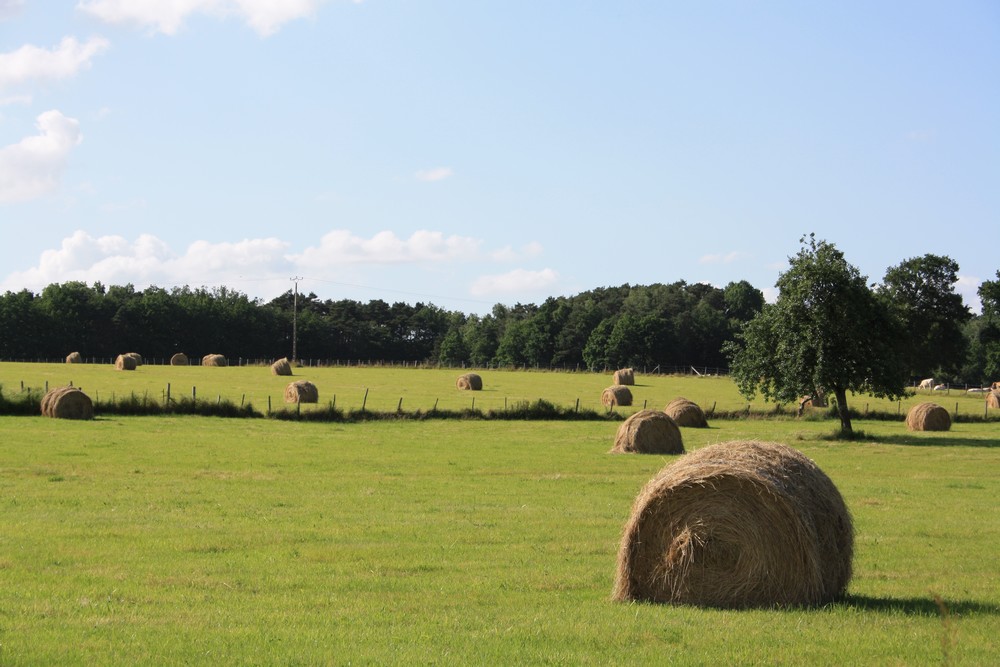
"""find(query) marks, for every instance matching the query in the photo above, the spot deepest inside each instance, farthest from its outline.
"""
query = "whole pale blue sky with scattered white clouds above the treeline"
(473, 153)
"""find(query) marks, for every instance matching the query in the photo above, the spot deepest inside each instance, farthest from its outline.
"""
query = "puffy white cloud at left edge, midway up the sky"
(32, 167)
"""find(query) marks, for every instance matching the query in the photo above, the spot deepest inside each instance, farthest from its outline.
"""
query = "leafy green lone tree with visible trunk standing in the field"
(827, 331)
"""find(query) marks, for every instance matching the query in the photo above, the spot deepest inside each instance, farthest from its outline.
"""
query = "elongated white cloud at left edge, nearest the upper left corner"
(31, 63)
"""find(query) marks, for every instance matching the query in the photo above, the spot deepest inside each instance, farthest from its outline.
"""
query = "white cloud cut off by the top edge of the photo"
(264, 16)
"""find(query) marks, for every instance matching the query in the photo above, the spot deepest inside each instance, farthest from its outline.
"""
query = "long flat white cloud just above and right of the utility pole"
(342, 247)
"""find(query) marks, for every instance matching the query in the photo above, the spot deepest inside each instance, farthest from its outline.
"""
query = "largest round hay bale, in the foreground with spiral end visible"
(738, 524)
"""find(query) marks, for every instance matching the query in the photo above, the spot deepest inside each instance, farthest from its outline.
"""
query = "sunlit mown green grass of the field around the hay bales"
(166, 540)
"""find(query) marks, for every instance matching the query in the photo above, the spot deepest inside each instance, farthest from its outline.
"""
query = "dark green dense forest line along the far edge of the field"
(665, 326)
